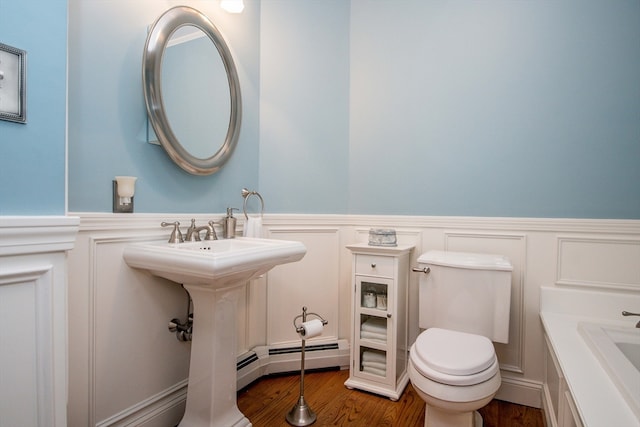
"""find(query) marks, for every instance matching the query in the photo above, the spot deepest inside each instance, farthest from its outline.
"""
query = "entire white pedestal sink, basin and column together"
(212, 272)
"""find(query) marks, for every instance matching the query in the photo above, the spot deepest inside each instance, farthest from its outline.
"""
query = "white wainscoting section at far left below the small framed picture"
(33, 336)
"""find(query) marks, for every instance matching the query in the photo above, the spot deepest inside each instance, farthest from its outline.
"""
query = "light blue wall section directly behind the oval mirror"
(106, 110)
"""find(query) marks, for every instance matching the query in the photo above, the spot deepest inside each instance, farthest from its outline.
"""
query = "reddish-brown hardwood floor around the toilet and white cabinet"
(267, 401)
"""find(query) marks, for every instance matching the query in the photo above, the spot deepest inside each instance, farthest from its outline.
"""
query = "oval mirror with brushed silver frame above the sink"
(195, 113)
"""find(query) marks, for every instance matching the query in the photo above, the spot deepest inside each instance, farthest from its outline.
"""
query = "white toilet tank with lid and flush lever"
(466, 292)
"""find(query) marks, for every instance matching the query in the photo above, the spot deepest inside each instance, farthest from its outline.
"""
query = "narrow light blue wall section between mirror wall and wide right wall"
(304, 106)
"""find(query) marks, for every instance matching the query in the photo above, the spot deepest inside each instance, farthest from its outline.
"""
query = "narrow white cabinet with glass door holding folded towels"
(379, 348)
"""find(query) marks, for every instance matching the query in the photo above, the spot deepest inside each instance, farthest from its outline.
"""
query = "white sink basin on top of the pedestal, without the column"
(213, 263)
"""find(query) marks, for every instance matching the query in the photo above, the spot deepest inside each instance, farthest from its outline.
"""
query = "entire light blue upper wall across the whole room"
(496, 108)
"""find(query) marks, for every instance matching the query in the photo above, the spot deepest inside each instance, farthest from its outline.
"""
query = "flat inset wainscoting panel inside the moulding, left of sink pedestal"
(130, 339)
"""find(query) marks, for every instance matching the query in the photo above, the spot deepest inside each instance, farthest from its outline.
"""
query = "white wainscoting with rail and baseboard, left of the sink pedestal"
(135, 366)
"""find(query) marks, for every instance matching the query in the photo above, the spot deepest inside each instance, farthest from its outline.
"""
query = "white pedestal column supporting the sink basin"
(211, 394)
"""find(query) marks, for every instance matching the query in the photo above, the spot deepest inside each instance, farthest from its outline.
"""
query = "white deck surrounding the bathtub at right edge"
(597, 398)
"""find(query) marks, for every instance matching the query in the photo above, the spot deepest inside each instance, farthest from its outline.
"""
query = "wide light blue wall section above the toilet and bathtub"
(495, 108)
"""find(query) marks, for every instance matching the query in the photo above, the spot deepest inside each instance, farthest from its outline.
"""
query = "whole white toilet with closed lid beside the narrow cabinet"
(464, 305)
